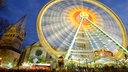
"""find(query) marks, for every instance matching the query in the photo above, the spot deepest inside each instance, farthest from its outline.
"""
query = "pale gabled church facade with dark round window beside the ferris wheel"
(36, 53)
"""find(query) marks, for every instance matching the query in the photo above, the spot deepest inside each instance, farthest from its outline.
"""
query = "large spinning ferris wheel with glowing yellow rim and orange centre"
(76, 28)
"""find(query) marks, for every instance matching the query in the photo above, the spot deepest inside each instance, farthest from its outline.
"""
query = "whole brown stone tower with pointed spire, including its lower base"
(11, 41)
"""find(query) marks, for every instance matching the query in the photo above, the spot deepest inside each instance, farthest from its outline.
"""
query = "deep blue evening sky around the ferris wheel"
(13, 10)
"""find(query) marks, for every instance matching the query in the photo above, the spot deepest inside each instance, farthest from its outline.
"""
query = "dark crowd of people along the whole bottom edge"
(77, 69)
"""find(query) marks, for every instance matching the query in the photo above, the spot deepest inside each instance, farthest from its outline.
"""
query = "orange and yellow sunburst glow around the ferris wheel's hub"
(74, 15)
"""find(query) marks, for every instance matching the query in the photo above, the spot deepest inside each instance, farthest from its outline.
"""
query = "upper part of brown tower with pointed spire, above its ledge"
(14, 35)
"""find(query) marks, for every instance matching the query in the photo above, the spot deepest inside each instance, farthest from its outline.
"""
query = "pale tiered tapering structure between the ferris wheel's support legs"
(82, 47)
